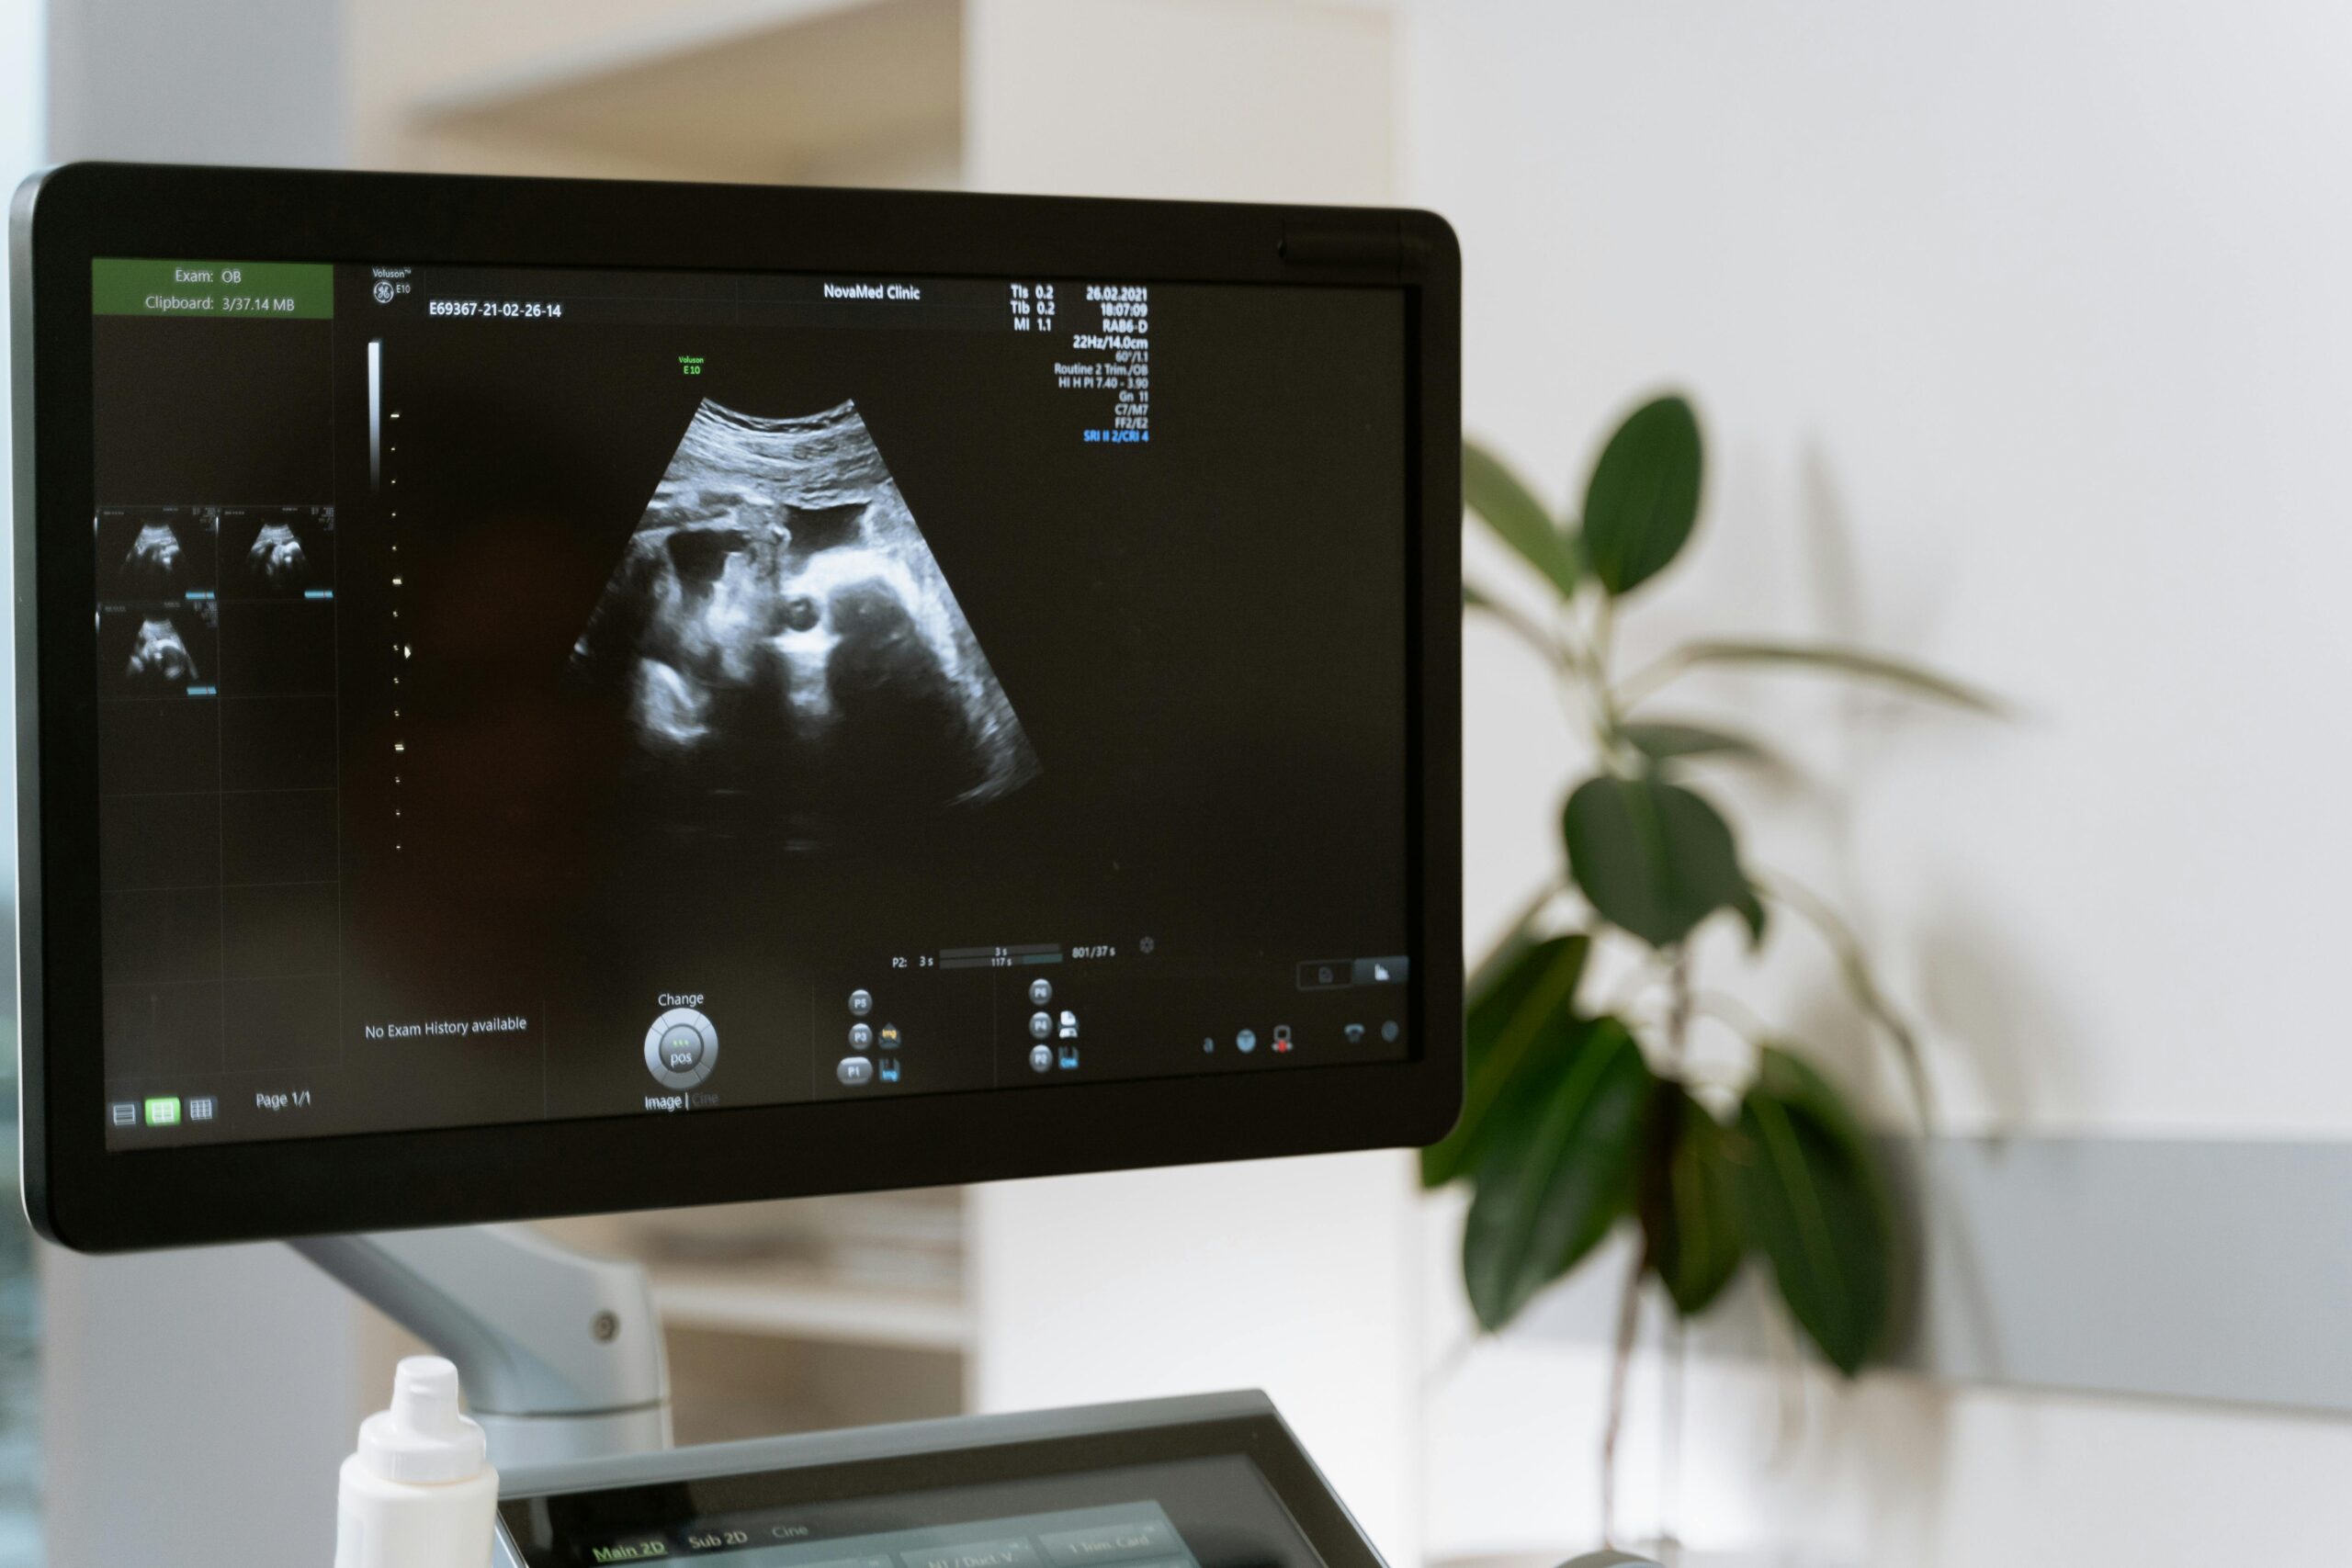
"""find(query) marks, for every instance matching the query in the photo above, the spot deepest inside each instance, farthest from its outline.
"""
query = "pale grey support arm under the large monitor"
(561, 1353)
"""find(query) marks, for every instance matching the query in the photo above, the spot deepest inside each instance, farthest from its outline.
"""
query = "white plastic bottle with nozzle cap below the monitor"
(420, 1492)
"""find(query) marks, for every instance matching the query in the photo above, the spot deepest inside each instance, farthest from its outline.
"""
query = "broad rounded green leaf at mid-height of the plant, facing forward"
(1655, 859)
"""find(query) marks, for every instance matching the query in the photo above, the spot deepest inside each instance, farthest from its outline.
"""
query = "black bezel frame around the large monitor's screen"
(93, 1200)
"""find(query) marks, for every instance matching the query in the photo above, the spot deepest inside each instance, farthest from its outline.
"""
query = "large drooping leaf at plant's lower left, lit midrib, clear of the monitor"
(1556, 1174)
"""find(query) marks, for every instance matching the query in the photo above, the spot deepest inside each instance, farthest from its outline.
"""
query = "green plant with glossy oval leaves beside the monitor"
(1586, 1115)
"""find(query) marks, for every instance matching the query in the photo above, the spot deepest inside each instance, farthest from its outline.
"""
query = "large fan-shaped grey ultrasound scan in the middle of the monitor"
(780, 634)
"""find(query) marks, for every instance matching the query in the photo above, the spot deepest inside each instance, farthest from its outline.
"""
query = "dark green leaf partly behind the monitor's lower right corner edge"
(1523, 1019)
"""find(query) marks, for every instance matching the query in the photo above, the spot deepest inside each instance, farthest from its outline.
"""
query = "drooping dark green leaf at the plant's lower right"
(1815, 1202)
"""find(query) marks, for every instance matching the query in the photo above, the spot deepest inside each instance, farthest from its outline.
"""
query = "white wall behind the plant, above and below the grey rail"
(2022, 335)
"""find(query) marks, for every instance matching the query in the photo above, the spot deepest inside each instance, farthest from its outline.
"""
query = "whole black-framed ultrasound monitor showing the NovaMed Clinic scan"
(549, 697)
